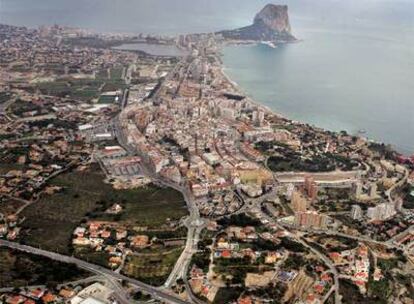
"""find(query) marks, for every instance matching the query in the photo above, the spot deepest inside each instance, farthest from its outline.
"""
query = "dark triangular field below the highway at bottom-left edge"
(21, 269)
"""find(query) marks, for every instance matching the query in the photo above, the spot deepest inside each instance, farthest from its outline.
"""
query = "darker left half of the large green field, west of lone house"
(50, 221)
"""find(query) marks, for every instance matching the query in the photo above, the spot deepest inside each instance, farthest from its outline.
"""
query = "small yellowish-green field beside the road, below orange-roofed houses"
(152, 268)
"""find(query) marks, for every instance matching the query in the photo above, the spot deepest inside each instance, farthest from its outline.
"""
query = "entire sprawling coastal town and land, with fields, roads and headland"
(127, 177)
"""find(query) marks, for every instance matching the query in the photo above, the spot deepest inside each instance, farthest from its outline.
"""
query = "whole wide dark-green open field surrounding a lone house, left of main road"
(51, 221)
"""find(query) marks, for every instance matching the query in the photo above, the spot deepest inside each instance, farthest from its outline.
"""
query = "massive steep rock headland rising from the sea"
(270, 24)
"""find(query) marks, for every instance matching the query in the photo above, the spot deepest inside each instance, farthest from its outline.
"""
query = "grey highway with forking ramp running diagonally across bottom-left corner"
(112, 276)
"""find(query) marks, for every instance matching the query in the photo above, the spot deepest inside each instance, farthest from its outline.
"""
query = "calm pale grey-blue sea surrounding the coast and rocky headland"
(352, 68)
